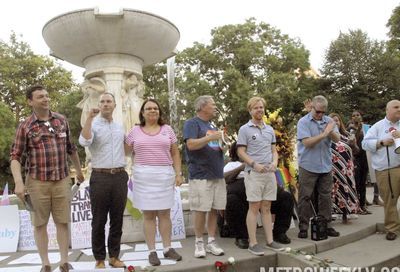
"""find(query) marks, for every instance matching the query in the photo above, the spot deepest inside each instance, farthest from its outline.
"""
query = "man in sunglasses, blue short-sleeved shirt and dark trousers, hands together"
(315, 131)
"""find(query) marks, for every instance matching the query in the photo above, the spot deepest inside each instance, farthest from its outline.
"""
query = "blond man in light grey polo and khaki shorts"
(256, 148)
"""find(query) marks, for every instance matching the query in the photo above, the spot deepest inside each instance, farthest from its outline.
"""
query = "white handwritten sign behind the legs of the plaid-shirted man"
(26, 238)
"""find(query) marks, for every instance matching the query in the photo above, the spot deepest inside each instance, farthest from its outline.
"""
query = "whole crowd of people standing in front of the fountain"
(331, 158)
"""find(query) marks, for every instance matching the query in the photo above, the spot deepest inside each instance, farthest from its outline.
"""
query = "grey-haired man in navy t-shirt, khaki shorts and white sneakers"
(207, 190)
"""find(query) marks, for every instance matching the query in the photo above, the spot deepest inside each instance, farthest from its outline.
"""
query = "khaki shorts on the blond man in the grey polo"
(260, 186)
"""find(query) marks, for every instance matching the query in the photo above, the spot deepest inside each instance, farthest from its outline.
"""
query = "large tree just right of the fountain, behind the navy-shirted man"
(242, 61)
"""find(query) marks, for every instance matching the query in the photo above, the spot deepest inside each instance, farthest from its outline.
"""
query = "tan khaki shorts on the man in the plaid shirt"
(50, 196)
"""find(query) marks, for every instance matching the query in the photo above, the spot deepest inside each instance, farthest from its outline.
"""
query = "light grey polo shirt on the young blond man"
(258, 141)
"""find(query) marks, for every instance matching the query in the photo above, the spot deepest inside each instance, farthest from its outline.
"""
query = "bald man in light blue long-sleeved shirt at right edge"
(386, 163)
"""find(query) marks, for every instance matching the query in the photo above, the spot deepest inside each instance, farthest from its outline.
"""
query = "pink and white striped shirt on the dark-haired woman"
(152, 149)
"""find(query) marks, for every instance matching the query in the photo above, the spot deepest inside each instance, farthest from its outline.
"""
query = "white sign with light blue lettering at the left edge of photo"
(9, 228)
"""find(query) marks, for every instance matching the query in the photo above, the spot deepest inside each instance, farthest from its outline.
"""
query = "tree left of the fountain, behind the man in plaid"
(21, 68)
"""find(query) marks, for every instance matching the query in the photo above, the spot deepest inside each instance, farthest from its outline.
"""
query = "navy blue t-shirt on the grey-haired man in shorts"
(208, 161)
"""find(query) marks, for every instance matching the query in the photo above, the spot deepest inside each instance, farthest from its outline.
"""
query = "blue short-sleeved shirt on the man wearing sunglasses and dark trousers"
(317, 159)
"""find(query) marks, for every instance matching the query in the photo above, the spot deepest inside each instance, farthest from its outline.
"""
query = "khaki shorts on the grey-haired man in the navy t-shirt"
(207, 194)
